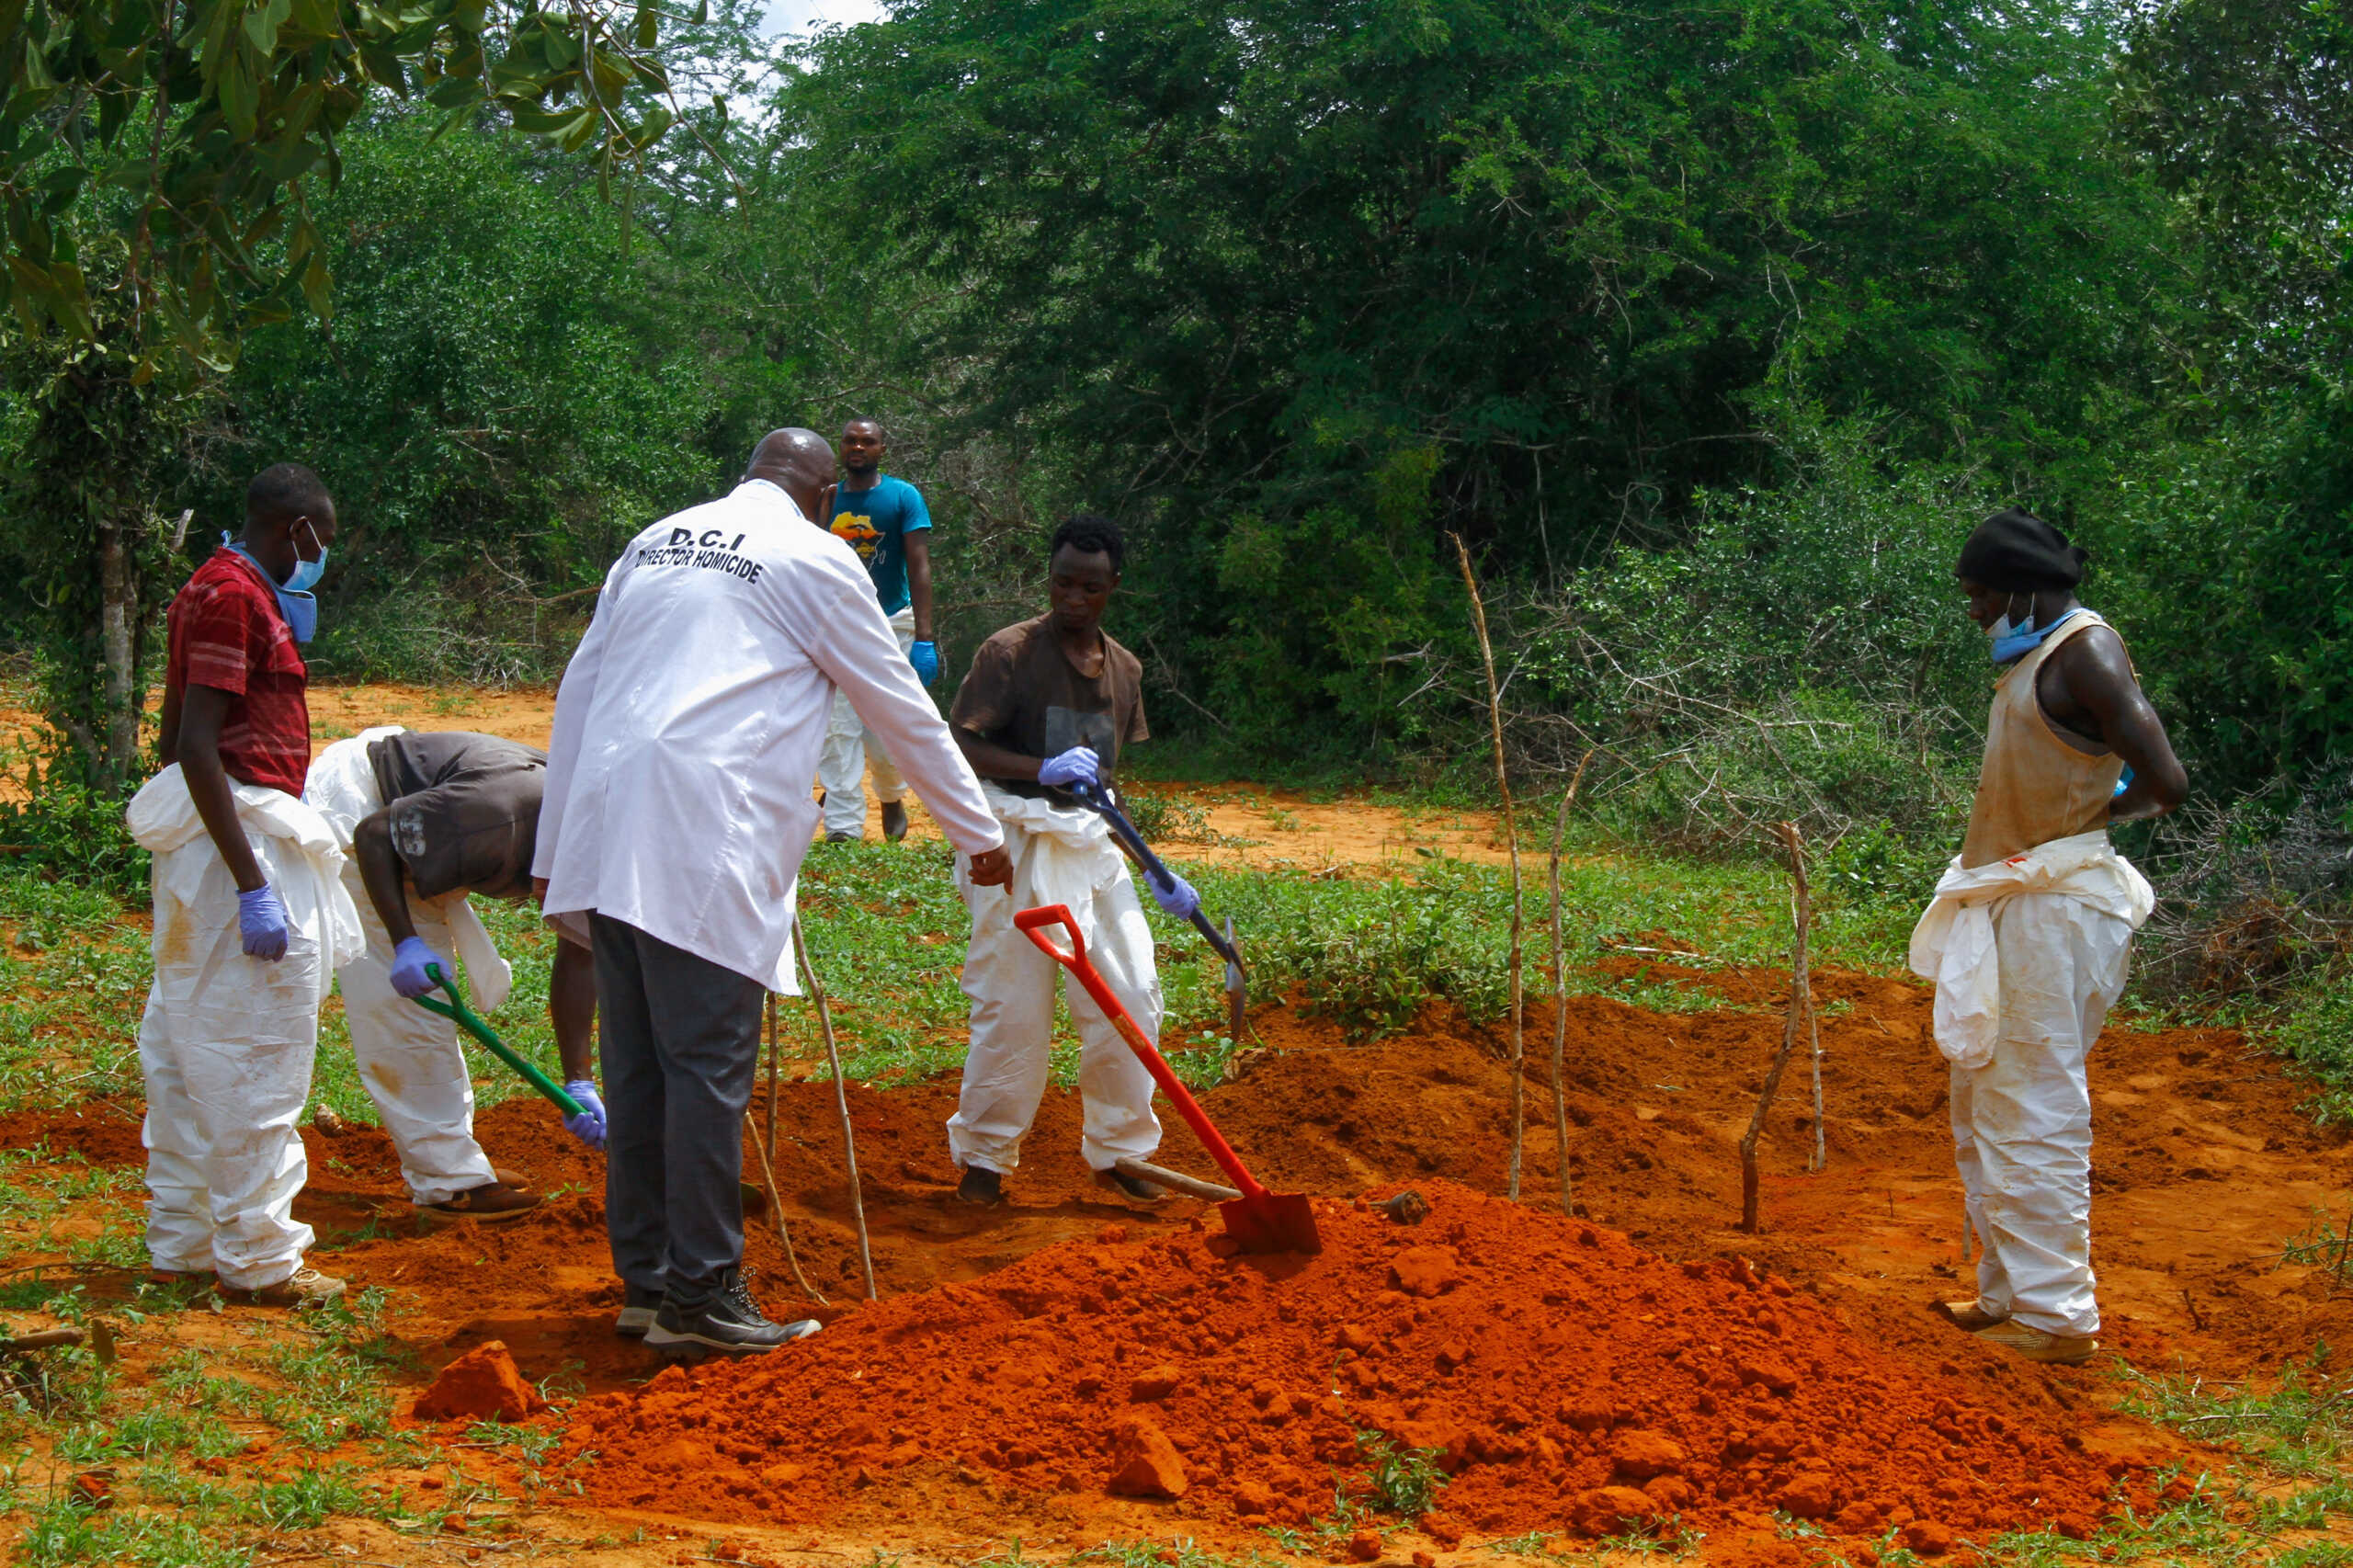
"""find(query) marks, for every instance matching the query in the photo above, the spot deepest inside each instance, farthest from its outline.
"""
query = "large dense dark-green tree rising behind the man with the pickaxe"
(1312, 281)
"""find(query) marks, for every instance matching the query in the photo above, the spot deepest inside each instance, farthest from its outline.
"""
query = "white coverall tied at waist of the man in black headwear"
(2029, 955)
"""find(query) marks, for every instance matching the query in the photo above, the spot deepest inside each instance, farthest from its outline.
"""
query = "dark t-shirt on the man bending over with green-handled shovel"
(465, 809)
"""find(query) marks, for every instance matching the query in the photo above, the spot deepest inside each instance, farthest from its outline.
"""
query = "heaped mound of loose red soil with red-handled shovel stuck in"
(1557, 1369)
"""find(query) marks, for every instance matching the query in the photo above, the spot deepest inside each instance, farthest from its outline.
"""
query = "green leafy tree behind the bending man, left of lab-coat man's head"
(493, 380)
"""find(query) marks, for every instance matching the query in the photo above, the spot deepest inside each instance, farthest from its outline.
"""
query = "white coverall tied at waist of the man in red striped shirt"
(227, 1042)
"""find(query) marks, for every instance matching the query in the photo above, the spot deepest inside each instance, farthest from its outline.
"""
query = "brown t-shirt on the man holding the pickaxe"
(1025, 696)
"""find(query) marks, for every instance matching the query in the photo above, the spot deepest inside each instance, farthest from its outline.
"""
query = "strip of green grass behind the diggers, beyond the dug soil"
(1366, 955)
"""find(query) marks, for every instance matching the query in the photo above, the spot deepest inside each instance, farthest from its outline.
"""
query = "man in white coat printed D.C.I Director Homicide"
(674, 825)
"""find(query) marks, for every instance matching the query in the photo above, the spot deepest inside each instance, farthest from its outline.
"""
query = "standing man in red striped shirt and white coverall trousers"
(251, 912)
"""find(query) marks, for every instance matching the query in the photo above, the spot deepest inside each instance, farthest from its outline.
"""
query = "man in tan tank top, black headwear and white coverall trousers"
(2032, 931)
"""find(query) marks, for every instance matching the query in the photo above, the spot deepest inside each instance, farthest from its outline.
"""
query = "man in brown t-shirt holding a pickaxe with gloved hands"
(1044, 717)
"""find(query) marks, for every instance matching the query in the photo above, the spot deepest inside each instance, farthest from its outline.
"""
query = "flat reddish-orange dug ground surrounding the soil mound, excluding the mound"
(2204, 1169)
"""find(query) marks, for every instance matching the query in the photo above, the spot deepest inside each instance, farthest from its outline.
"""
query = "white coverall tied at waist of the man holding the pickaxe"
(1062, 856)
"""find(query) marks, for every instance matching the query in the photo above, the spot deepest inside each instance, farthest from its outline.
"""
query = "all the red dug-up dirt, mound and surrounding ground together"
(2204, 1169)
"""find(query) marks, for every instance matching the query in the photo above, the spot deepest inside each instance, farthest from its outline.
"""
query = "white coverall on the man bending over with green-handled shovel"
(411, 1061)
